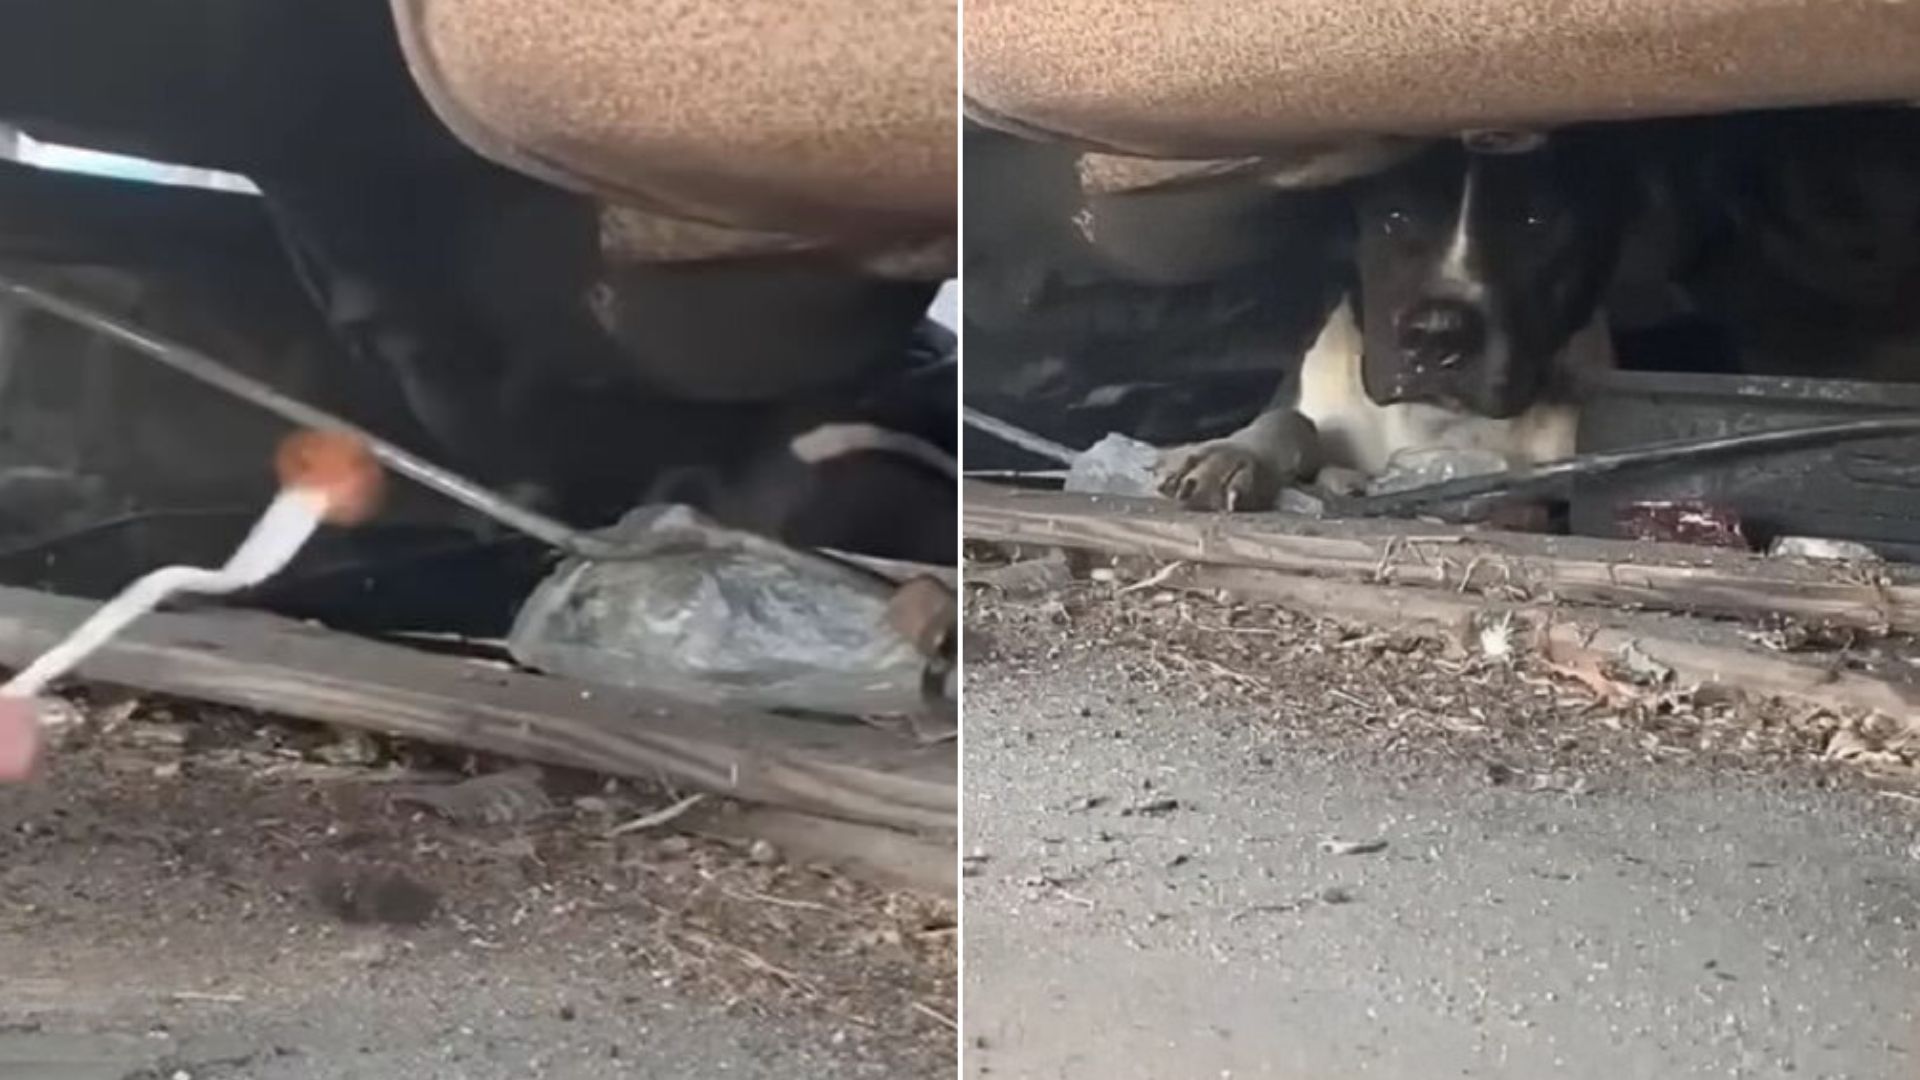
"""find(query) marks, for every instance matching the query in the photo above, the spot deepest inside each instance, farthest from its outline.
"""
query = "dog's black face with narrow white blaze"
(1477, 266)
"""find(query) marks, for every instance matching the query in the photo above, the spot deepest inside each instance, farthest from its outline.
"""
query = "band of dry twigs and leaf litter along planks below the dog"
(1543, 722)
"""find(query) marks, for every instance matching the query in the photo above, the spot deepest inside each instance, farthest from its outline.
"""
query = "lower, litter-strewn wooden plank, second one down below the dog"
(1698, 652)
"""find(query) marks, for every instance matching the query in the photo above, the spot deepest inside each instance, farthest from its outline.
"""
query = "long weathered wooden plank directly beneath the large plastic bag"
(258, 662)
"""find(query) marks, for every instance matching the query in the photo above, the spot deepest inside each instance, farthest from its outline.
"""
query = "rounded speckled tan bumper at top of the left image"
(777, 124)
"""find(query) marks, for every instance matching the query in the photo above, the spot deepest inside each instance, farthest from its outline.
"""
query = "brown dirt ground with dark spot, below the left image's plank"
(195, 893)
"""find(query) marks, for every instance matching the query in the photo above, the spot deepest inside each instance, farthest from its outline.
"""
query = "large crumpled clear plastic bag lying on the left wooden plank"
(723, 618)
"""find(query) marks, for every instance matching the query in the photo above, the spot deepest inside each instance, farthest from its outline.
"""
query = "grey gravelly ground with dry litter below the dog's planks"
(1226, 841)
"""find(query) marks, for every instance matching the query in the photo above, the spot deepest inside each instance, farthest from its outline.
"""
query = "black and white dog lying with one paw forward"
(1477, 285)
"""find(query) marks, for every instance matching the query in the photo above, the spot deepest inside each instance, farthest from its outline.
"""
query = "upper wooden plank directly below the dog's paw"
(1656, 577)
